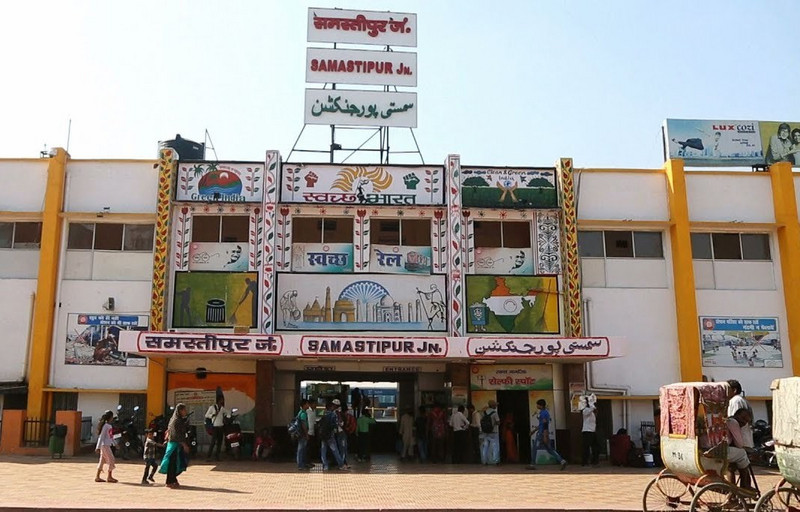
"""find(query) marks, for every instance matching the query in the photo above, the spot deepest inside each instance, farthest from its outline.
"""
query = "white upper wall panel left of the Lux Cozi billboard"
(622, 195)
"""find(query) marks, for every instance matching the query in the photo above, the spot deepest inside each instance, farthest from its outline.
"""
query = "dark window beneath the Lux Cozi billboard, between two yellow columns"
(731, 246)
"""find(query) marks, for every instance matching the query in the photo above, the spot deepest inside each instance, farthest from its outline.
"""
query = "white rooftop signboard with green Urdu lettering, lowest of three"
(361, 108)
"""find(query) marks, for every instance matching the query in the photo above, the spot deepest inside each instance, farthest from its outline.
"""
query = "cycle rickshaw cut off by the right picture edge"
(786, 434)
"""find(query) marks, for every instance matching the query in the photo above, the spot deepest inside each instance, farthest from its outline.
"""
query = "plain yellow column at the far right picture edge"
(785, 204)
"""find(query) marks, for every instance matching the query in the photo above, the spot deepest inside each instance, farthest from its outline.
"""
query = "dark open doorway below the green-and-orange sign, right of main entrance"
(515, 425)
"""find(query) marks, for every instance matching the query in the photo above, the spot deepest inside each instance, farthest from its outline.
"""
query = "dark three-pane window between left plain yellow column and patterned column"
(111, 237)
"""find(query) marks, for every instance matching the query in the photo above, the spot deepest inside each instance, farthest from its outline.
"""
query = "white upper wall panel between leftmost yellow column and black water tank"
(123, 186)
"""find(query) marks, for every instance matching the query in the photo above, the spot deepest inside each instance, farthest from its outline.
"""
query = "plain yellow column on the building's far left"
(44, 309)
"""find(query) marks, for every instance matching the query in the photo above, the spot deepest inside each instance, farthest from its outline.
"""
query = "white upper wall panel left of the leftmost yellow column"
(29, 178)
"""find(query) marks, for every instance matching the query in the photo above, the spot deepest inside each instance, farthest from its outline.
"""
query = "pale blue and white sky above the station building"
(501, 83)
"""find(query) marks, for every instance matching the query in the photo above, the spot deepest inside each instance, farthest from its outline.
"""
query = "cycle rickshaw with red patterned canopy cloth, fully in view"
(694, 448)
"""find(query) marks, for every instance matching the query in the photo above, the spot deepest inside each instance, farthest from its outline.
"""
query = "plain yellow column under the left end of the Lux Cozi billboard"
(683, 273)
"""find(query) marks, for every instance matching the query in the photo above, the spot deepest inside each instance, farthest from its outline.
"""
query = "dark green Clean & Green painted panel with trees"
(487, 187)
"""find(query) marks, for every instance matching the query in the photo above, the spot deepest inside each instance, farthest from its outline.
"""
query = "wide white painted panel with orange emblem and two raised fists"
(370, 185)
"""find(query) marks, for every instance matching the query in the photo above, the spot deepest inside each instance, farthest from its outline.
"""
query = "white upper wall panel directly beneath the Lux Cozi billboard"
(745, 197)
